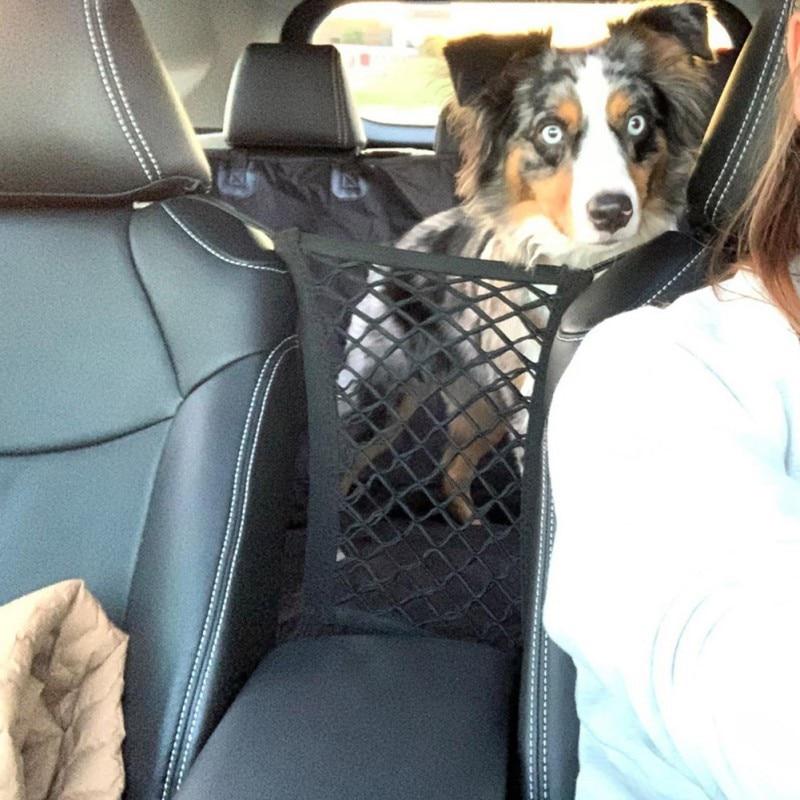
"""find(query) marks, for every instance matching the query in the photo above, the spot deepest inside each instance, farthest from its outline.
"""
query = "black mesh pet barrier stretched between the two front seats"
(424, 386)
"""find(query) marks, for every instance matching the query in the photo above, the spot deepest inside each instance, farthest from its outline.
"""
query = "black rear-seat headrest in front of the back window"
(291, 95)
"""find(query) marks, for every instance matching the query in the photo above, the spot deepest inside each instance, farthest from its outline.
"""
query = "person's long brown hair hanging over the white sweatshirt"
(766, 231)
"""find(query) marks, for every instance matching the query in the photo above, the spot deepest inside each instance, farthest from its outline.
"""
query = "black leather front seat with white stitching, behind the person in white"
(736, 142)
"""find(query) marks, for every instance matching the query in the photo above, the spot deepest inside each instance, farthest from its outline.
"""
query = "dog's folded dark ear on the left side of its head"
(475, 61)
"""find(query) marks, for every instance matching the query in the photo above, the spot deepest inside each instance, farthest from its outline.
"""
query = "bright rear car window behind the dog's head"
(392, 51)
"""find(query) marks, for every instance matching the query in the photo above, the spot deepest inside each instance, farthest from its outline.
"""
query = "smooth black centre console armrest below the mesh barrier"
(364, 717)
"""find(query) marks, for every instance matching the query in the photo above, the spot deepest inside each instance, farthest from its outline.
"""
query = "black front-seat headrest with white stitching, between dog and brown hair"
(741, 131)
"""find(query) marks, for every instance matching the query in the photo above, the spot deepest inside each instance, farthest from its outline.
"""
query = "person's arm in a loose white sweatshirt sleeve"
(676, 570)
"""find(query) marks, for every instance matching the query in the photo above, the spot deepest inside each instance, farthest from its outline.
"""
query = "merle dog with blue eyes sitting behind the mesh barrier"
(569, 157)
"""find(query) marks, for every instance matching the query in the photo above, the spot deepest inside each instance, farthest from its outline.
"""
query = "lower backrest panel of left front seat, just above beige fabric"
(77, 512)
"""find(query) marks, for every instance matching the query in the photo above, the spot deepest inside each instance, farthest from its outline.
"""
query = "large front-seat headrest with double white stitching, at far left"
(89, 114)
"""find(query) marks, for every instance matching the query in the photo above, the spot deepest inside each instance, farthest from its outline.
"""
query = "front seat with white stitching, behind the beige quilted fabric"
(147, 350)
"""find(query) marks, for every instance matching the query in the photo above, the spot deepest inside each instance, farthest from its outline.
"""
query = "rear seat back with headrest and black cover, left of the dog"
(292, 152)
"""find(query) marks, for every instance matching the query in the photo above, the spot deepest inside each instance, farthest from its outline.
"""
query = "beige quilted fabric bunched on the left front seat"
(61, 672)
